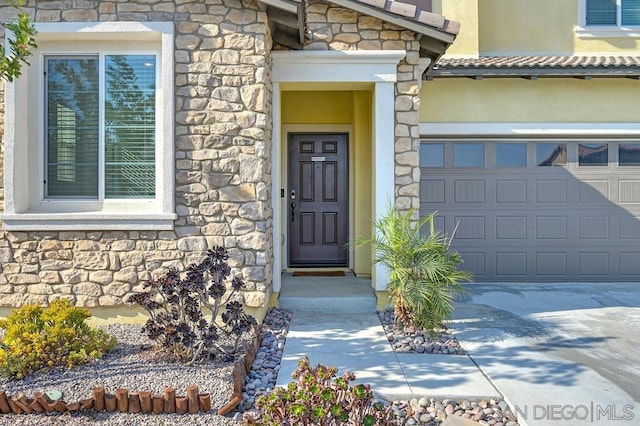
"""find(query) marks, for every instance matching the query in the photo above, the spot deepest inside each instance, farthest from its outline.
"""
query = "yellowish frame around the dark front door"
(284, 173)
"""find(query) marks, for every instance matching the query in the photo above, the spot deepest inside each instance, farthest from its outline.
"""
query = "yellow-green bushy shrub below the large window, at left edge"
(37, 338)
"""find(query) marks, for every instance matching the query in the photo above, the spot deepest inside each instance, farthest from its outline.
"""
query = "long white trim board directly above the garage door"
(604, 130)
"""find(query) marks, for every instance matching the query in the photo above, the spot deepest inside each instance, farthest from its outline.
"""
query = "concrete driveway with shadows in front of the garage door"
(561, 354)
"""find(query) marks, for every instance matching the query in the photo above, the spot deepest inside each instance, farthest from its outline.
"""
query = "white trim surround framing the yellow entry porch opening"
(375, 67)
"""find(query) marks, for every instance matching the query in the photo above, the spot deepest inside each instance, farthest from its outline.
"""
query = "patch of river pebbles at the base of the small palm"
(410, 339)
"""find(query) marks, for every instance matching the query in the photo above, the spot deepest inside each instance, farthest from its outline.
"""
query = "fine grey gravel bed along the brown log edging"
(132, 368)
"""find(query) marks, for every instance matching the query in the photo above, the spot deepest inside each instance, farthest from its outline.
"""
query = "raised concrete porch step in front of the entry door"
(348, 294)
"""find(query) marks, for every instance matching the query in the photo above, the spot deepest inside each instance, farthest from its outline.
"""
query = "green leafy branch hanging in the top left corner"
(21, 43)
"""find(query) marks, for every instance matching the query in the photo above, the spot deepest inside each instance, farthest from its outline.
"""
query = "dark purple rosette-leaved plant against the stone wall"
(183, 312)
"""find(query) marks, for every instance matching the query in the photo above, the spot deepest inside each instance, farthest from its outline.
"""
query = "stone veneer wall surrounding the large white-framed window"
(222, 149)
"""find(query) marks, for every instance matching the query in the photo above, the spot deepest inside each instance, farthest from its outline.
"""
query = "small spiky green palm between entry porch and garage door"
(423, 272)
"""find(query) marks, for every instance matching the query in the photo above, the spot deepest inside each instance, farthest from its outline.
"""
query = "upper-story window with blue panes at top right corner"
(619, 13)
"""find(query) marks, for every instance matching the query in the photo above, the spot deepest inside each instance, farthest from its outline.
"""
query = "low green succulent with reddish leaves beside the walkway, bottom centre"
(317, 397)
